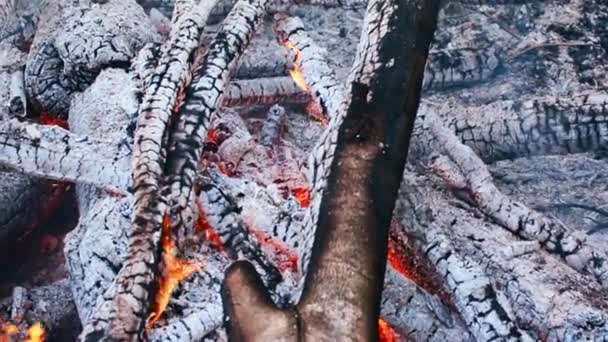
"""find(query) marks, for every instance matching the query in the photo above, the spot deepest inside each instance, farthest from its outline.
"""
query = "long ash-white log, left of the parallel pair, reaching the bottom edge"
(126, 304)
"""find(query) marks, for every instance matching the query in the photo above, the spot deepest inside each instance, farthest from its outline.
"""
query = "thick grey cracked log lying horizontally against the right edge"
(542, 126)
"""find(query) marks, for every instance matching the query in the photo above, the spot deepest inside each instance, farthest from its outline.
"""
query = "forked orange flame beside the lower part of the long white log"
(174, 271)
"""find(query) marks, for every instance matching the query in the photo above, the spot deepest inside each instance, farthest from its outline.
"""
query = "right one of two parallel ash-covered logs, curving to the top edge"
(203, 96)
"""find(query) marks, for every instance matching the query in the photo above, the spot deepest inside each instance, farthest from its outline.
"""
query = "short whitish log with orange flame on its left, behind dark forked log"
(311, 69)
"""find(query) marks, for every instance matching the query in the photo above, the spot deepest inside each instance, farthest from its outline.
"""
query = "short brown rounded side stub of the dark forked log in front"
(253, 316)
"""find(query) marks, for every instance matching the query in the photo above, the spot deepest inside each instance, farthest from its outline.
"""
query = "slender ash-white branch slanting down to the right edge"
(516, 217)
